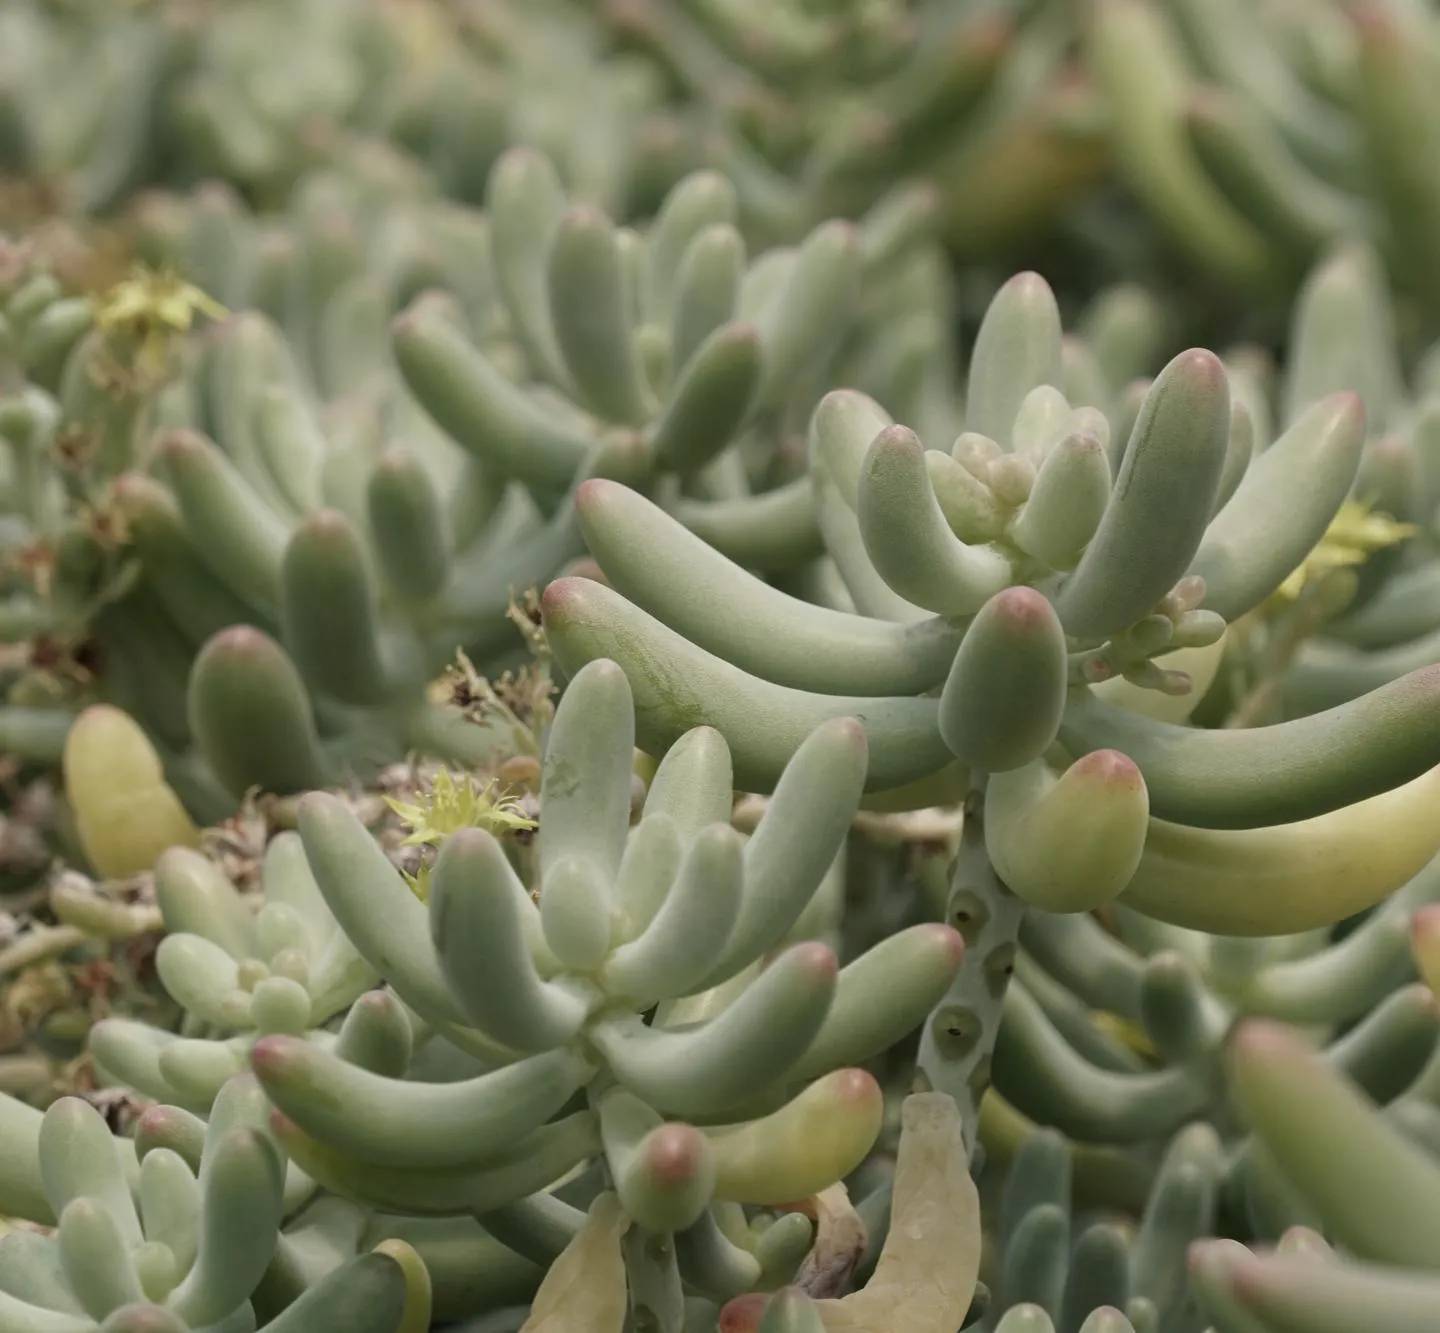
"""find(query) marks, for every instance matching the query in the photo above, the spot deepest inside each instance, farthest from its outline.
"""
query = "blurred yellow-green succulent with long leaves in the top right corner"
(1256, 137)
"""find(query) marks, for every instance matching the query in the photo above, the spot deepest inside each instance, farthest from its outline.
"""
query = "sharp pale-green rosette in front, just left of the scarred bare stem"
(659, 1010)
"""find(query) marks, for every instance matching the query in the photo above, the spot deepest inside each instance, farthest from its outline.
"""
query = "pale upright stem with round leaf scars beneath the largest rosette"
(960, 1037)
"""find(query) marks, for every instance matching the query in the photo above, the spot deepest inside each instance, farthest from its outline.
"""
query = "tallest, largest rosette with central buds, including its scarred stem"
(1025, 585)
